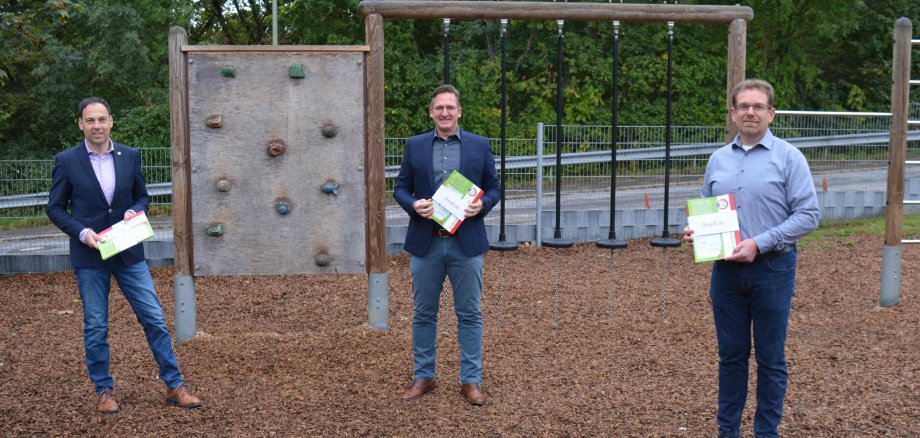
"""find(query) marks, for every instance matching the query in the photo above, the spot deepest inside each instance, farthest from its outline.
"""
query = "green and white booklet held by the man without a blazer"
(714, 222)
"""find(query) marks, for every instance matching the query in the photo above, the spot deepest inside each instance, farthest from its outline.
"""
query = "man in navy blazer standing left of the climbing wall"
(101, 183)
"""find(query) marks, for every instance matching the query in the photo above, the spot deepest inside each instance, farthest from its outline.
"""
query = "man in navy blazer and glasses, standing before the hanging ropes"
(435, 253)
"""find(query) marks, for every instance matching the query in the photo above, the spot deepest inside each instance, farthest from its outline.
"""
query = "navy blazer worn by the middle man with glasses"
(416, 181)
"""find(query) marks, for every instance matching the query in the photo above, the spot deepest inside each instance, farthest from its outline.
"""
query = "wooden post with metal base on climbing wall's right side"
(378, 282)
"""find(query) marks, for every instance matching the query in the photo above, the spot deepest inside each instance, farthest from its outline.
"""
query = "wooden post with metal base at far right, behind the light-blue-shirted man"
(897, 151)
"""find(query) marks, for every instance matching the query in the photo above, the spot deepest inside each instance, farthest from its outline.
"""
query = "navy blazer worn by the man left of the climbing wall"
(74, 186)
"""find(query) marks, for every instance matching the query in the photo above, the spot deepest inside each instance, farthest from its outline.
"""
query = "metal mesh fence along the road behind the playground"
(846, 152)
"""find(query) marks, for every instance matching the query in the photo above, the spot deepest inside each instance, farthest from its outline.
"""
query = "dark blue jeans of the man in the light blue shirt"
(756, 296)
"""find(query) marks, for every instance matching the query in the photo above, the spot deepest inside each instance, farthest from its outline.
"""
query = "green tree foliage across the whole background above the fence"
(820, 55)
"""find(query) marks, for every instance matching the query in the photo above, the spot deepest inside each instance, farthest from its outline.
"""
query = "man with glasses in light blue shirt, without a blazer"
(751, 290)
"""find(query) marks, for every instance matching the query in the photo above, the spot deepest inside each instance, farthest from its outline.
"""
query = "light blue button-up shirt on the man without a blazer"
(773, 188)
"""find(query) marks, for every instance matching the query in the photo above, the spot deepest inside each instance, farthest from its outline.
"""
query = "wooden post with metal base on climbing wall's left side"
(183, 258)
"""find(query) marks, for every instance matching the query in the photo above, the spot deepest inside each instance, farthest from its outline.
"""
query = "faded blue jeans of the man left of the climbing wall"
(137, 287)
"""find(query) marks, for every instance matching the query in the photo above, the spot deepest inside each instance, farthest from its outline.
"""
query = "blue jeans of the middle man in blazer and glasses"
(445, 257)
